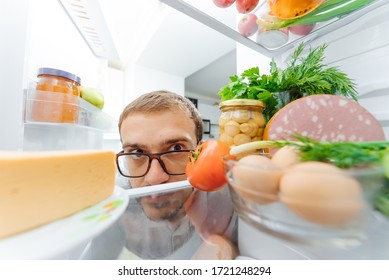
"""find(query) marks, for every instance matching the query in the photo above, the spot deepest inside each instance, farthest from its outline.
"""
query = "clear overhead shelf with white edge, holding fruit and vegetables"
(215, 18)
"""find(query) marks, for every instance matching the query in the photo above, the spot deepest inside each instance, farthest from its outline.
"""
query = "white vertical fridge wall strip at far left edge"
(13, 31)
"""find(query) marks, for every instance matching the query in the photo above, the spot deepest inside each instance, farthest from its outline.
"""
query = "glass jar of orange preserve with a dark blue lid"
(56, 99)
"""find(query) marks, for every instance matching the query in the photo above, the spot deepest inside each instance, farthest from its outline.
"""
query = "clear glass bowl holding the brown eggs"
(338, 206)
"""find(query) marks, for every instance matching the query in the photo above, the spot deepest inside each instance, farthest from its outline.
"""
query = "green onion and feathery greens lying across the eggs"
(341, 154)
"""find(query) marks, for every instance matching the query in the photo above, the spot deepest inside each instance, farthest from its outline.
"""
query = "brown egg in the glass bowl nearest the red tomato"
(256, 179)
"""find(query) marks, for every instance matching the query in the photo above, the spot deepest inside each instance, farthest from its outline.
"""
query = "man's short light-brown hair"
(162, 100)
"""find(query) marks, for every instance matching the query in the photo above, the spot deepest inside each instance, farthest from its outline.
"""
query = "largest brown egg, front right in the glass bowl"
(321, 193)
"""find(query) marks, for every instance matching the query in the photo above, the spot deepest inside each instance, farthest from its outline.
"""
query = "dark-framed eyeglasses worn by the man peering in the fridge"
(135, 165)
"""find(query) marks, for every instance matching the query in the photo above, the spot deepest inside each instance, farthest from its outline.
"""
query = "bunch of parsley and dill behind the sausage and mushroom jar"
(303, 76)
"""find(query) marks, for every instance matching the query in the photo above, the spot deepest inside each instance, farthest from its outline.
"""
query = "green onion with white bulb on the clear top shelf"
(330, 9)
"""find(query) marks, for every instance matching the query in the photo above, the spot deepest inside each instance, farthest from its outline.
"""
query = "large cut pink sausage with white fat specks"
(326, 118)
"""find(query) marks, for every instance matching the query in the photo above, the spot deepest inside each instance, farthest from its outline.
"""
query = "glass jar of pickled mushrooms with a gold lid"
(241, 121)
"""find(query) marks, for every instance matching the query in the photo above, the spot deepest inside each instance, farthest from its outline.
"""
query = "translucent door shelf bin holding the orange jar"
(57, 121)
